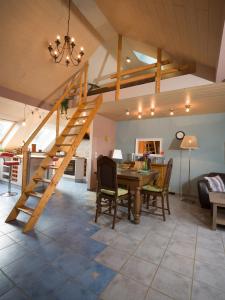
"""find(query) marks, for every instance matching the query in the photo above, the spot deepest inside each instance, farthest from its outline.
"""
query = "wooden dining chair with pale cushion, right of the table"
(154, 191)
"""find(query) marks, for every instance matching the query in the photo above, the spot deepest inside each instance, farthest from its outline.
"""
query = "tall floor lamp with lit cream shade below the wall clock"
(189, 143)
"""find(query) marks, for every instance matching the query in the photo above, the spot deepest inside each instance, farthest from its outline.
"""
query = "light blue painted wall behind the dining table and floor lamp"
(209, 129)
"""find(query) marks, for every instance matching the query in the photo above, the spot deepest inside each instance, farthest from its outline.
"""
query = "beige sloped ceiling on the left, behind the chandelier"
(26, 28)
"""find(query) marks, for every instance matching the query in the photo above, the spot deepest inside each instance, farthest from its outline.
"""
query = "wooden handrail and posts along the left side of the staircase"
(78, 81)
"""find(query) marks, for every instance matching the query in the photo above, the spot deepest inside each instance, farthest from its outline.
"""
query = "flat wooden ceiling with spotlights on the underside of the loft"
(203, 99)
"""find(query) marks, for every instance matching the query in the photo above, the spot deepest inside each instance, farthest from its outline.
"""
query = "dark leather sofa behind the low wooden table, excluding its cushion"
(203, 190)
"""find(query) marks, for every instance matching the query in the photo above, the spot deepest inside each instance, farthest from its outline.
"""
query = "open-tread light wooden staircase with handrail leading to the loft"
(67, 141)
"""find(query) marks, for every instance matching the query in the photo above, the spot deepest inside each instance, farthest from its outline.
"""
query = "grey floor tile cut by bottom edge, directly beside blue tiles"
(125, 289)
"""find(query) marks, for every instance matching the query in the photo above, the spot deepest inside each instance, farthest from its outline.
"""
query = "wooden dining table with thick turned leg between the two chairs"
(134, 180)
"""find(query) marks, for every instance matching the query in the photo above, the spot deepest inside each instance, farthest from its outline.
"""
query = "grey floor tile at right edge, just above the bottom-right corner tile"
(211, 274)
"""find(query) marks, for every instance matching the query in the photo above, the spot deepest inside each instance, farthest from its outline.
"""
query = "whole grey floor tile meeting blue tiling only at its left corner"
(139, 270)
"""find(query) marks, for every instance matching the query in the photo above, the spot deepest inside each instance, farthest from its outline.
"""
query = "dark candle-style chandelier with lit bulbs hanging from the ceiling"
(68, 50)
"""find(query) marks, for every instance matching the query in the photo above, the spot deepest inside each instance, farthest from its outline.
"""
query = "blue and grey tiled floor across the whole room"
(69, 257)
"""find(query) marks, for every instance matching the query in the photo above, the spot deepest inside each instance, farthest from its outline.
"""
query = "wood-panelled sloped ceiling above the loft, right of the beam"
(187, 30)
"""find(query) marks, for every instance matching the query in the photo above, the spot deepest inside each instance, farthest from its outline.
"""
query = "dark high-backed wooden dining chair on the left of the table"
(108, 194)
